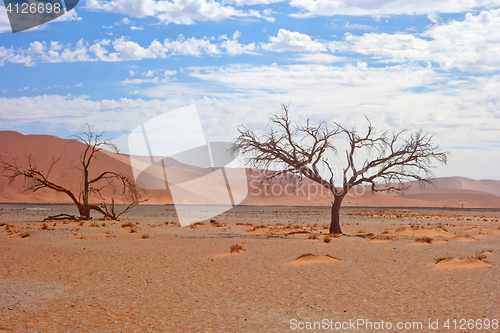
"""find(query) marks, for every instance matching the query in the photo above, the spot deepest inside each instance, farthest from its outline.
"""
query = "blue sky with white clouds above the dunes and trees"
(431, 64)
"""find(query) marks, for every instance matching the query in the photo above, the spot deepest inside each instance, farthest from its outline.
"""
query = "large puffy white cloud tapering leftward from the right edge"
(470, 45)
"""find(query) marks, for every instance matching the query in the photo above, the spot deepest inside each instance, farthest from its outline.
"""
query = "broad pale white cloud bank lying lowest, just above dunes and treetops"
(463, 113)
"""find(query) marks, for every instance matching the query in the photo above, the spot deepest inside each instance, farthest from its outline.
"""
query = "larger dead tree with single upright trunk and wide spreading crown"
(302, 150)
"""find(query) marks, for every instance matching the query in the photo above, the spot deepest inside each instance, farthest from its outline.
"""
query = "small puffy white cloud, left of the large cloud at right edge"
(293, 41)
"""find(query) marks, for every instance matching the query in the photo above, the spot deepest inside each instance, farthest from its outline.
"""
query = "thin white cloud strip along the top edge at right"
(379, 8)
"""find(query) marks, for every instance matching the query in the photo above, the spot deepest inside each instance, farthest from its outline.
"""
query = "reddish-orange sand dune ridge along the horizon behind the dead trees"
(448, 191)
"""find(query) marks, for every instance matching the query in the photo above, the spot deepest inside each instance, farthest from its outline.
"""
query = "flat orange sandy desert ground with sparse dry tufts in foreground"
(72, 278)
